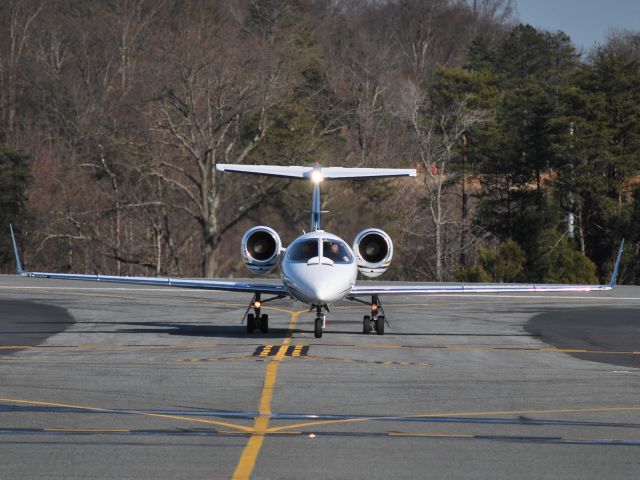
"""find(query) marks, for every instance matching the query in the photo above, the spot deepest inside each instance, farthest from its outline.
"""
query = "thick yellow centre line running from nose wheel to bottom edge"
(249, 455)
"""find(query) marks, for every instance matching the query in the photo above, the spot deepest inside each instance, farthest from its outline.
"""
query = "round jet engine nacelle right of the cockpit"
(374, 251)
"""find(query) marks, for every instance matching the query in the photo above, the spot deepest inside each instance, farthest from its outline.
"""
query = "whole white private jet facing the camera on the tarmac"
(319, 268)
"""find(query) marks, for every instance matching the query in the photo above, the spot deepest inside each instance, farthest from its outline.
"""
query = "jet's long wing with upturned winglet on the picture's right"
(426, 289)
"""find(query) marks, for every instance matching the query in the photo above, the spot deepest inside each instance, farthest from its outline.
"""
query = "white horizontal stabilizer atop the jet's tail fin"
(329, 173)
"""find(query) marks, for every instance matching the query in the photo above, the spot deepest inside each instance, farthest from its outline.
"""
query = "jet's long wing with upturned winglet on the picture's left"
(200, 284)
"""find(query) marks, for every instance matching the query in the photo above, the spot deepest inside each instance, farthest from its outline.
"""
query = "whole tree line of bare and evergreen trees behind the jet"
(113, 115)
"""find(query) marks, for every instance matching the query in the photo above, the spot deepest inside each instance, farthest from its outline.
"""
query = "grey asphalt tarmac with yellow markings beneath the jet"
(104, 382)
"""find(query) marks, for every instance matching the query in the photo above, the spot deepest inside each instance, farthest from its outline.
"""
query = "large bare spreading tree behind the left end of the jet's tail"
(217, 106)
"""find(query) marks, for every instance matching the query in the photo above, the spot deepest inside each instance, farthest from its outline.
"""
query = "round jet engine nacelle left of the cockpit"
(261, 248)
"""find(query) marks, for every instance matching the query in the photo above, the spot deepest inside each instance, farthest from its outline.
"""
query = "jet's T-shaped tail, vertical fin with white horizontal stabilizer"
(316, 175)
